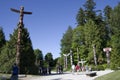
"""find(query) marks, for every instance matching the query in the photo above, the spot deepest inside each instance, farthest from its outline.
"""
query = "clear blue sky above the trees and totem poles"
(49, 21)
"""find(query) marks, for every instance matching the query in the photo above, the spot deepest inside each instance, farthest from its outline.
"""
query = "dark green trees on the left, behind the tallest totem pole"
(30, 59)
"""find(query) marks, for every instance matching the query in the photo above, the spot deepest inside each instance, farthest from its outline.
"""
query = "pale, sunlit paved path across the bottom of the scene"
(67, 76)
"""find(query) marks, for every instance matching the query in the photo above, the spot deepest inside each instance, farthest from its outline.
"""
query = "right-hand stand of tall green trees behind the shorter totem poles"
(95, 30)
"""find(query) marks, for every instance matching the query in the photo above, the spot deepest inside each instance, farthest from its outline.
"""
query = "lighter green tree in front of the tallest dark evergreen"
(93, 36)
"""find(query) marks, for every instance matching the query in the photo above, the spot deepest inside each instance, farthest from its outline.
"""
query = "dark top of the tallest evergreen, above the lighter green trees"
(84, 15)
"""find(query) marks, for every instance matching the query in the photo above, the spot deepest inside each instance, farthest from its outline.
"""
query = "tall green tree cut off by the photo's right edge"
(115, 40)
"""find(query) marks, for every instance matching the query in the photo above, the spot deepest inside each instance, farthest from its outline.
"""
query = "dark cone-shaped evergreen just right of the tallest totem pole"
(27, 63)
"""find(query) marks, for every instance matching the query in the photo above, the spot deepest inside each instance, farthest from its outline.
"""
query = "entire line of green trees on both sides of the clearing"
(95, 30)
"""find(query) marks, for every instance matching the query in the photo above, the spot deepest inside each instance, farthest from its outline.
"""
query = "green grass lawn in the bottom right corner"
(111, 76)
